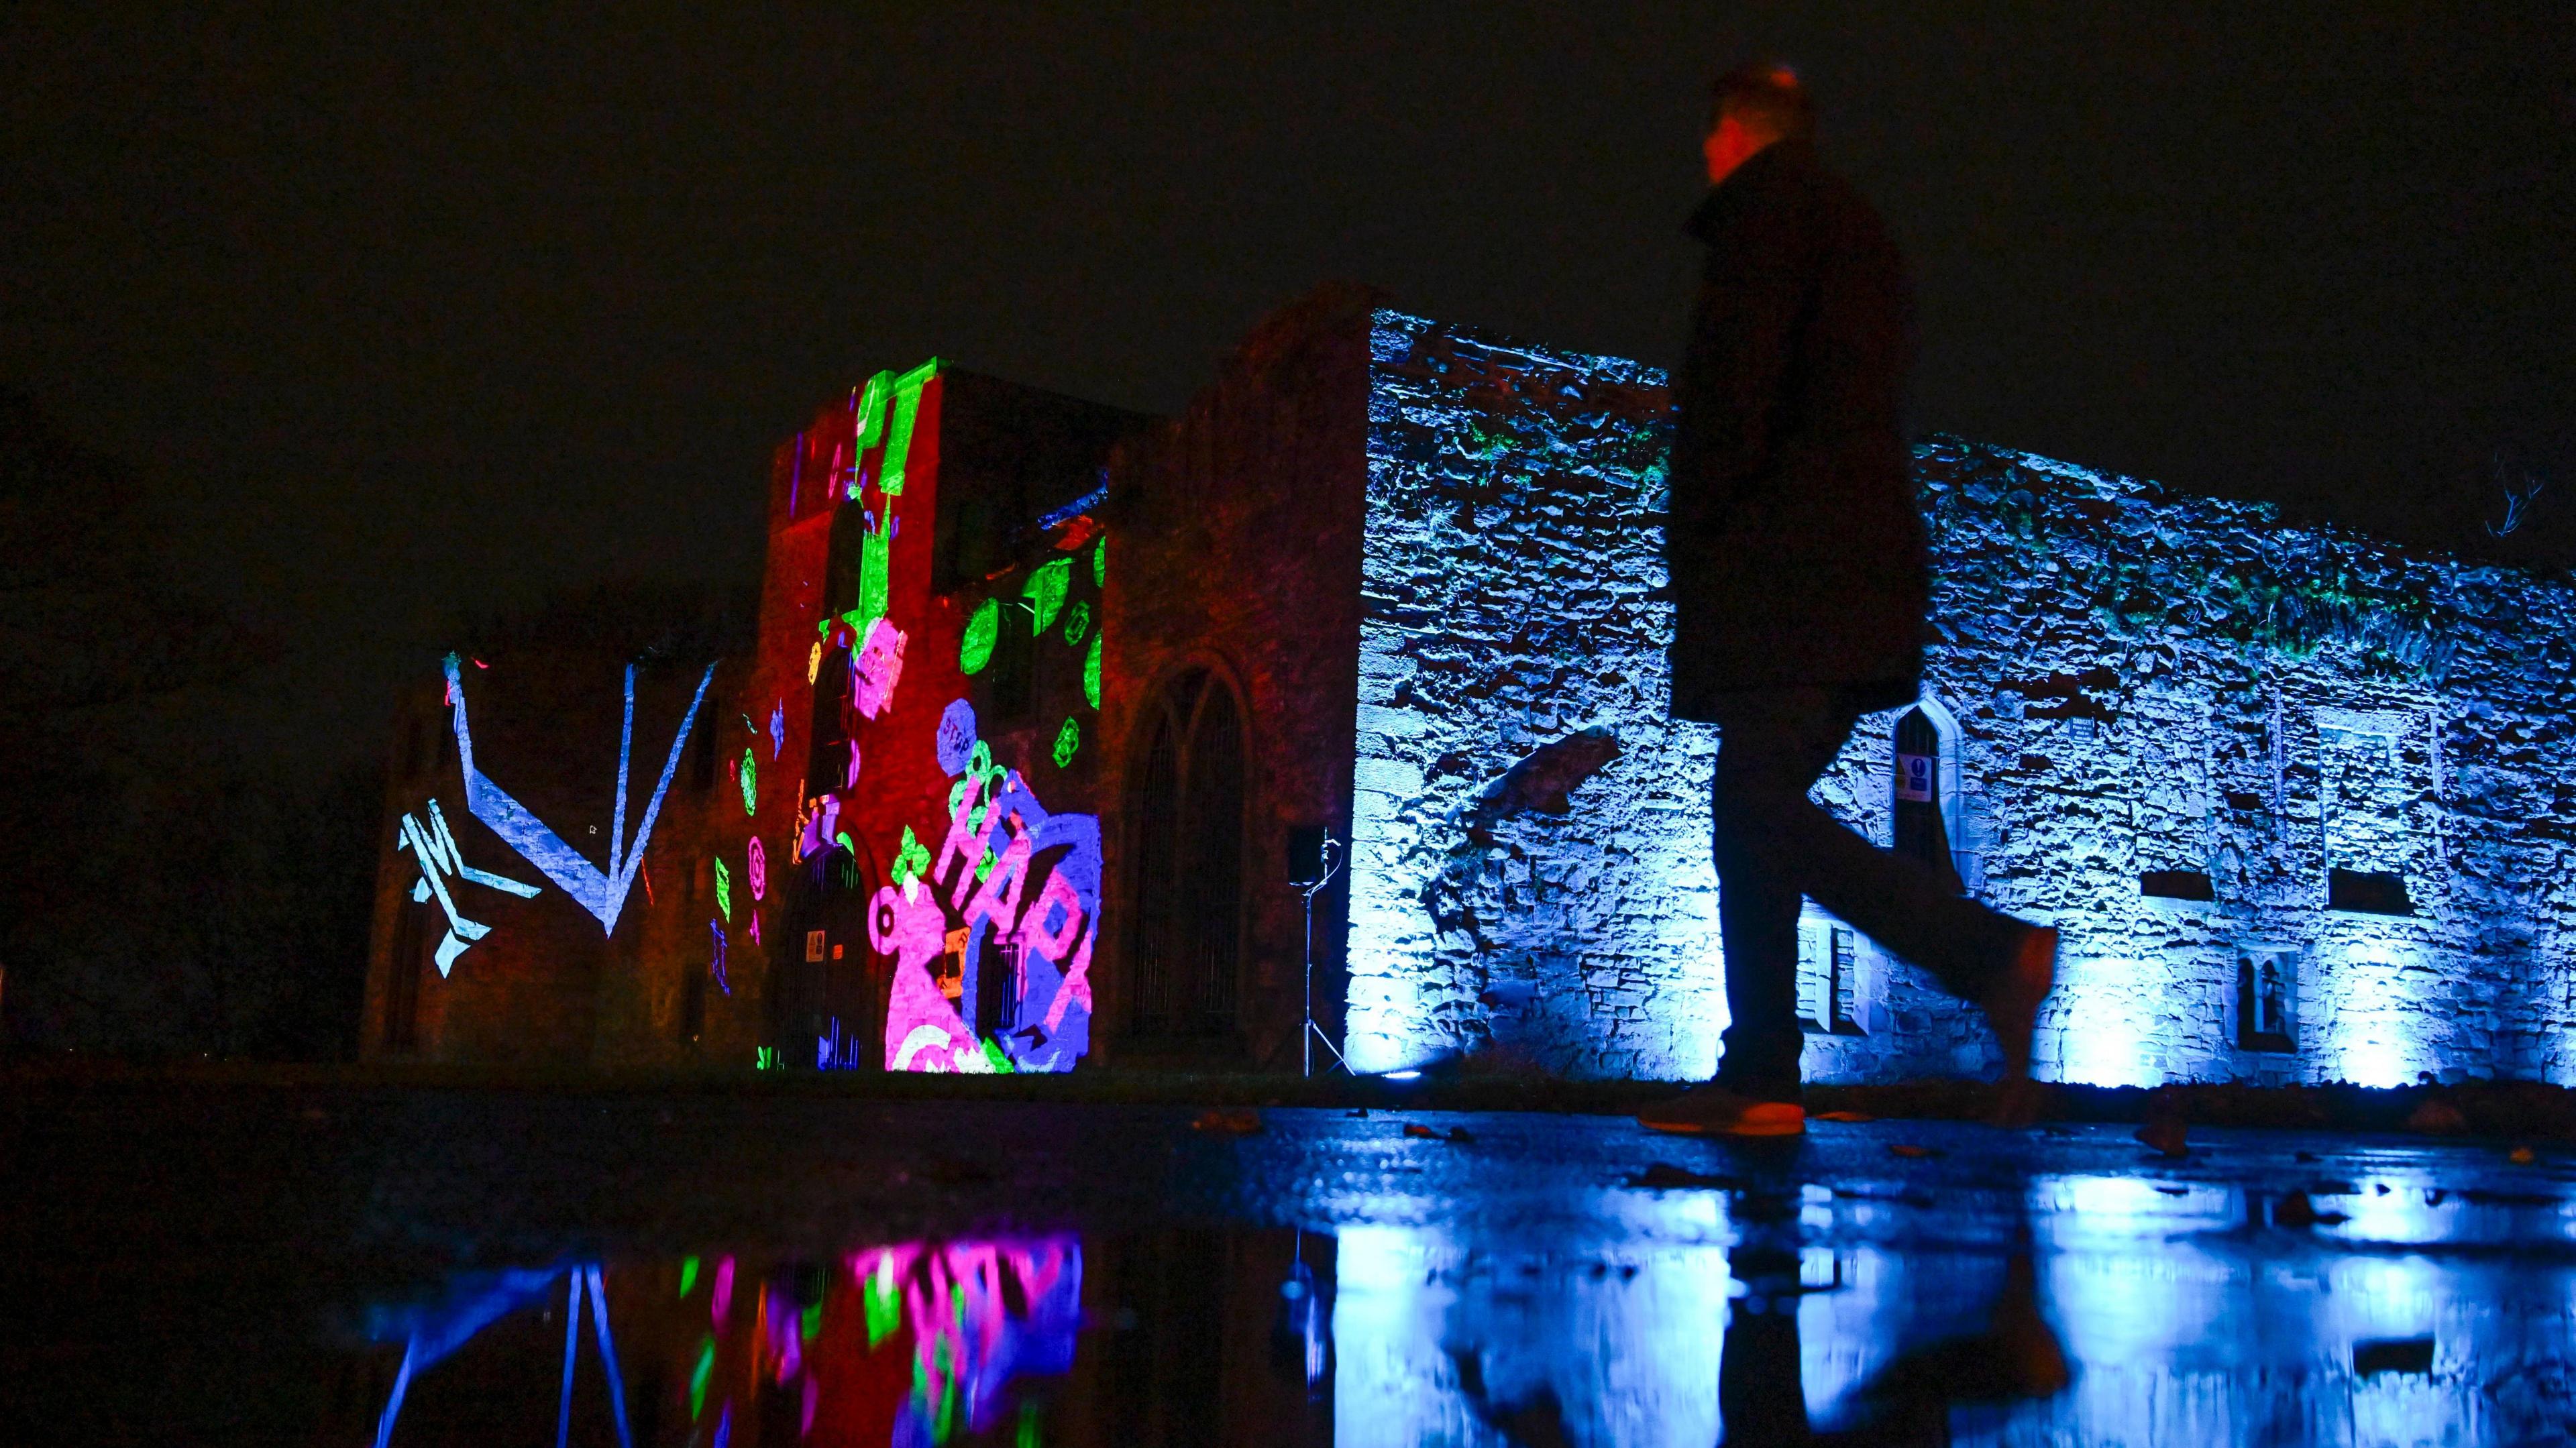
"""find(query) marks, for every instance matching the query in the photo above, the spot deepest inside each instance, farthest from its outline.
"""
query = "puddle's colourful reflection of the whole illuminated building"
(2374, 1310)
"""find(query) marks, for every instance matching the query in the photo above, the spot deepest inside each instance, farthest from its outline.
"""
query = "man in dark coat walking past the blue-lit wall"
(1799, 596)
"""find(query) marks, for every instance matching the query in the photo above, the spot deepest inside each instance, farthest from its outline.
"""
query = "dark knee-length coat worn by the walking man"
(1794, 545)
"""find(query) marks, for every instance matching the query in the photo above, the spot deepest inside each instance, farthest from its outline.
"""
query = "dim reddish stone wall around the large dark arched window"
(1235, 548)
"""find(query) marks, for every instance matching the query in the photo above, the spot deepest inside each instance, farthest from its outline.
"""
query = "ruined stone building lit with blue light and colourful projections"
(1045, 697)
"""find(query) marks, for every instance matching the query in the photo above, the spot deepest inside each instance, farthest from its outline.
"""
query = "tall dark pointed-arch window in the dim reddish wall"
(1189, 934)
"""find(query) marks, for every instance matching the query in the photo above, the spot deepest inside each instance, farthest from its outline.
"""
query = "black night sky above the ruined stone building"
(424, 310)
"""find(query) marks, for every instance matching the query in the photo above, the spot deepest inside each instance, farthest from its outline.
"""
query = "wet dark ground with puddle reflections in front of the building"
(439, 1266)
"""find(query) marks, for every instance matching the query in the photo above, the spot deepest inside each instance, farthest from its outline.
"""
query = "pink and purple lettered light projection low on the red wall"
(1011, 890)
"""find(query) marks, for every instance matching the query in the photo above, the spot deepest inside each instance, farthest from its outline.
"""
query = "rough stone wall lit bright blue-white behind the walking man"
(2361, 756)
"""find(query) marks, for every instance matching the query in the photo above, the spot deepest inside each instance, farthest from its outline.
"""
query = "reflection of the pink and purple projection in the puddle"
(980, 1315)
